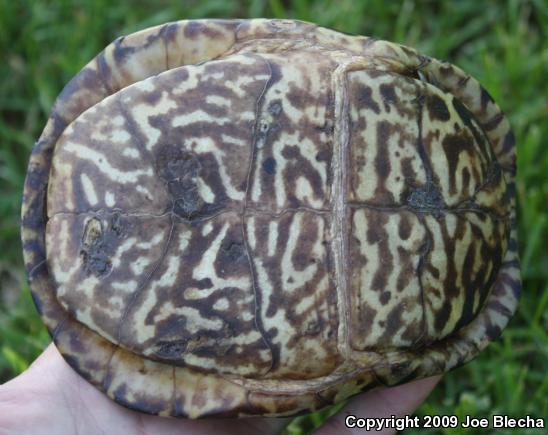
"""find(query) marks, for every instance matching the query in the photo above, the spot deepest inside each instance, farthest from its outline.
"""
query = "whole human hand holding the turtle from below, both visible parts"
(51, 398)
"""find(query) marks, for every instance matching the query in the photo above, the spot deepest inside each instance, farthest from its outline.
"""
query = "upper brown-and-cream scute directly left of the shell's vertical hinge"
(295, 134)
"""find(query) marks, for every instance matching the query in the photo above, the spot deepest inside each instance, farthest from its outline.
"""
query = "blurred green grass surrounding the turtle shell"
(503, 44)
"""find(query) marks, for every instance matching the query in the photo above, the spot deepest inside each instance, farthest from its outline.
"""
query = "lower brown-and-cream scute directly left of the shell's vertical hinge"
(296, 290)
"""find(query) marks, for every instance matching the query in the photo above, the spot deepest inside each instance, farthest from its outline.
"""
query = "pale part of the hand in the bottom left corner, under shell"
(51, 398)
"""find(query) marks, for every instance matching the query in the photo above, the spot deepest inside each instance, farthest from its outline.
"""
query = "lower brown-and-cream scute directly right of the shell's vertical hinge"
(385, 256)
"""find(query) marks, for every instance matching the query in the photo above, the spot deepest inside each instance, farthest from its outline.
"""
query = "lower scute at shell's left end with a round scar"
(96, 281)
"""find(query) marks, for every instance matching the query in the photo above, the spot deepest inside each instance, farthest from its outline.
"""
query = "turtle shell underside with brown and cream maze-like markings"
(228, 218)
